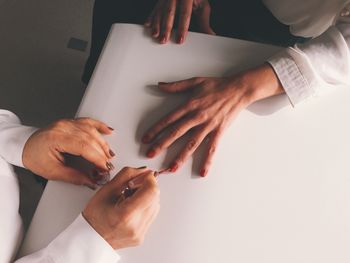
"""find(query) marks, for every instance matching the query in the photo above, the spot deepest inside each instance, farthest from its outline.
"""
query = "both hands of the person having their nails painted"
(214, 102)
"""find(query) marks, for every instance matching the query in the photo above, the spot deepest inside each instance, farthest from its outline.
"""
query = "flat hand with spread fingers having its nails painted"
(214, 104)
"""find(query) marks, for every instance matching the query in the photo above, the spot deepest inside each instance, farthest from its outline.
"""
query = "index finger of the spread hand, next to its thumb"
(152, 133)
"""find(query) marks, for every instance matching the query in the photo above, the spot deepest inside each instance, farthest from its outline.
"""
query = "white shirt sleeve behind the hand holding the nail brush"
(78, 243)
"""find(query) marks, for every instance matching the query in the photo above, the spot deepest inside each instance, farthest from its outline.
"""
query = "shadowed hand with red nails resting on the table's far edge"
(161, 20)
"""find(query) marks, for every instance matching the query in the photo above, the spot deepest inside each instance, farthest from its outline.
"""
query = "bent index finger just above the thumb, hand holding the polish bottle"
(87, 147)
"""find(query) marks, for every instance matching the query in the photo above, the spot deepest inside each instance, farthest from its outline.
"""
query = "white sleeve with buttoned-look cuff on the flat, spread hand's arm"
(321, 64)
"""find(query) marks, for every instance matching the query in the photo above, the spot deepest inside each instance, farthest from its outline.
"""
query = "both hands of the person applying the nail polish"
(121, 221)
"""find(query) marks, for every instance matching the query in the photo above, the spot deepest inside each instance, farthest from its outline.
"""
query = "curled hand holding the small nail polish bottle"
(43, 151)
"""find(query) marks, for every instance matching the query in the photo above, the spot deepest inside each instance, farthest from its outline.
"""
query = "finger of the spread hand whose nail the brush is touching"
(192, 144)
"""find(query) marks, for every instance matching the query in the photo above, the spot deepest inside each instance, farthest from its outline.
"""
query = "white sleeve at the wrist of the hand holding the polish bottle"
(13, 137)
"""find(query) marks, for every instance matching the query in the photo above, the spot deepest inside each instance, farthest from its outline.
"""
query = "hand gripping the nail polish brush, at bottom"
(124, 222)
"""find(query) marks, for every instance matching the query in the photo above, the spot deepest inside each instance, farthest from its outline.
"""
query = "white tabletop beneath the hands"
(279, 188)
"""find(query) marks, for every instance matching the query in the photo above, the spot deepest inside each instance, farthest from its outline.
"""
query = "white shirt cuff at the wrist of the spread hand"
(295, 84)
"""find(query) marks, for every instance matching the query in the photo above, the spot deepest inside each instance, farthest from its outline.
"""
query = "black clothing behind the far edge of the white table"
(243, 19)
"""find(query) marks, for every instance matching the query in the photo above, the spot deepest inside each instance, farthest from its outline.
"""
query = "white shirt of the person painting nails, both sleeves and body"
(79, 243)
